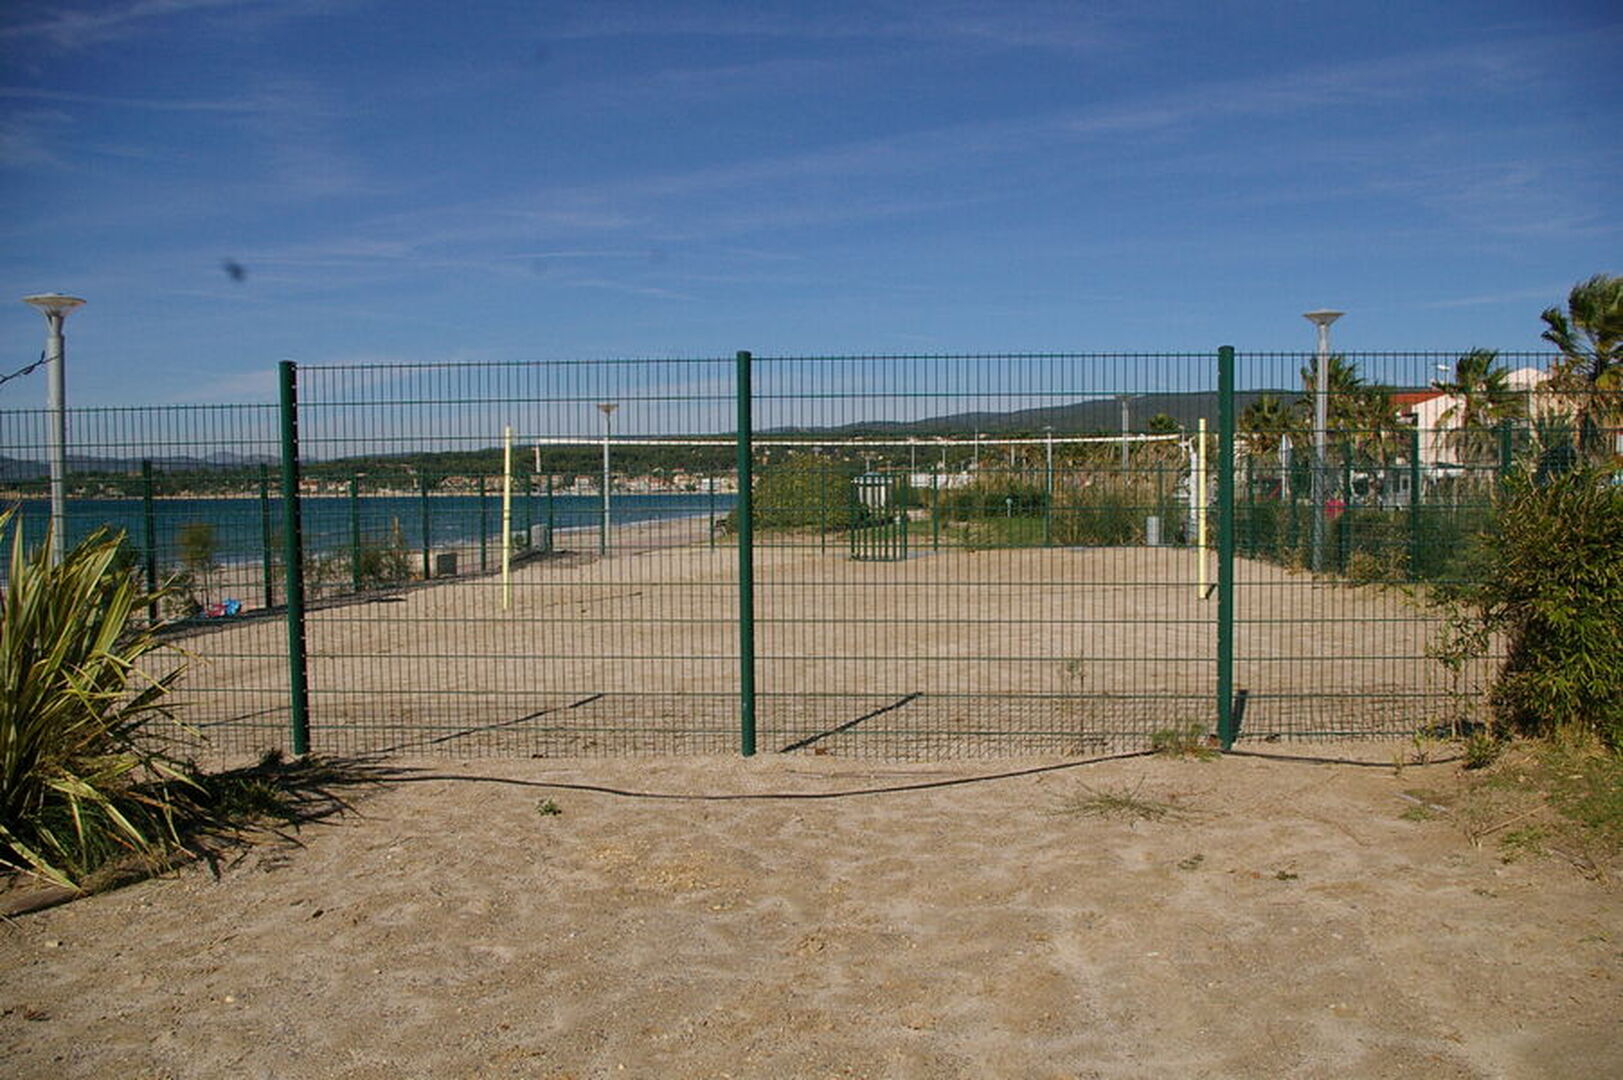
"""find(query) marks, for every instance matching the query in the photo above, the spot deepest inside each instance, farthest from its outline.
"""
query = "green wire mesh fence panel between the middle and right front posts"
(965, 556)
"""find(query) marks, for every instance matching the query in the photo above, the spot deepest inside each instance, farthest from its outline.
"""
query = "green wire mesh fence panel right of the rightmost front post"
(1356, 514)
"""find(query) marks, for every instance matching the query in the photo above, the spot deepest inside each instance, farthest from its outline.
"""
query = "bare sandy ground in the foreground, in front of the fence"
(1281, 922)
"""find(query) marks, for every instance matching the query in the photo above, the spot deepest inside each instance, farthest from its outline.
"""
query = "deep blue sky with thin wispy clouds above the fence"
(411, 181)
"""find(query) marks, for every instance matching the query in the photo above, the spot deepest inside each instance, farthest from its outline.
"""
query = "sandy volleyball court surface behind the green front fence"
(949, 655)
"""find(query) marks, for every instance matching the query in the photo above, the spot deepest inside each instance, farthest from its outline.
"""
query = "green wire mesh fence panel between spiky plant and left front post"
(194, 493)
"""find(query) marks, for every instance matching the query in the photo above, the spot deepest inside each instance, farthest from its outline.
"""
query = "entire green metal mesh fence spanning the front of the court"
(902, 556)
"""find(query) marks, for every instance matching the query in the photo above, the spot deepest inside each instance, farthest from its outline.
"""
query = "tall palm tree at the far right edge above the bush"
(1590, 335)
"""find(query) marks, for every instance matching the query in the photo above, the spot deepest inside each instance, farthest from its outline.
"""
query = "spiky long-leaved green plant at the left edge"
(80, 780)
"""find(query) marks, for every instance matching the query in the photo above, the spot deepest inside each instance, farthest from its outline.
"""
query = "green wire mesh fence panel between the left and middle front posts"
(553, 592)
